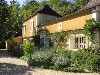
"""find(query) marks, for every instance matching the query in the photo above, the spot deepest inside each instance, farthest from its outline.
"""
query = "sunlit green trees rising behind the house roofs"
(63, 7)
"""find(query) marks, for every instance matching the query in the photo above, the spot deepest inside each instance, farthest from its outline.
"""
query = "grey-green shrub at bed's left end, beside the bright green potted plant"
(42, 58)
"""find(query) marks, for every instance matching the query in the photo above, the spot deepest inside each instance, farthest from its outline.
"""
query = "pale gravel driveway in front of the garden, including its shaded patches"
(10, 65)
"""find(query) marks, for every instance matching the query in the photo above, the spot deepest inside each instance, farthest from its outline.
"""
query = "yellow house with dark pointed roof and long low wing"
(46, 22)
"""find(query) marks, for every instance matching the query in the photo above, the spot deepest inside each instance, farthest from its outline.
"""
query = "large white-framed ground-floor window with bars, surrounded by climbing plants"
(80, 43)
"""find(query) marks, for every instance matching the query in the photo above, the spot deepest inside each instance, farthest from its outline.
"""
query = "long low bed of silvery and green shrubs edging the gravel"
(65, 60)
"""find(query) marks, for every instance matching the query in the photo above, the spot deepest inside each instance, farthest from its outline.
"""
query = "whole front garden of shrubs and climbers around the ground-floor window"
(60, 58)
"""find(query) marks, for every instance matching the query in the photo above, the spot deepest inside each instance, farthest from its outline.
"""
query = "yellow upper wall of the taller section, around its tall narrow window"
(27, 24)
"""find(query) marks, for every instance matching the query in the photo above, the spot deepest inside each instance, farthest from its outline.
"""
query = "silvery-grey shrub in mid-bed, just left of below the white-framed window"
(62, 59)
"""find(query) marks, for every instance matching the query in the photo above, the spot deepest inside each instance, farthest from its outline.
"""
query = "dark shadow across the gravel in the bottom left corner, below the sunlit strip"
(12, 69)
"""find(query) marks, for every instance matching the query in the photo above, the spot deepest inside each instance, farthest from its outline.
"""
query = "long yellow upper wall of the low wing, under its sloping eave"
(69, 23)
